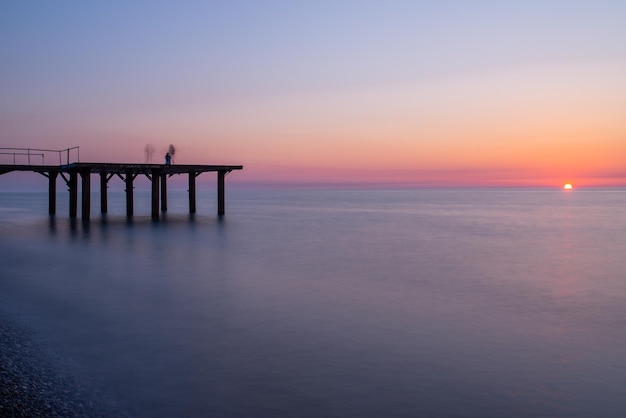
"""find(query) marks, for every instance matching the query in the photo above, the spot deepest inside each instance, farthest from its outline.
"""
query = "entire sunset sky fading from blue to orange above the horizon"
(423, 93)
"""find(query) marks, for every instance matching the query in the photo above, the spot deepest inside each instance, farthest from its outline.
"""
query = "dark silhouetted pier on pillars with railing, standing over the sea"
(156, 173)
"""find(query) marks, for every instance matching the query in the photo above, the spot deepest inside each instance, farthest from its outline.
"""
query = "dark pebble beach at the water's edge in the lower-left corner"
(33, 384)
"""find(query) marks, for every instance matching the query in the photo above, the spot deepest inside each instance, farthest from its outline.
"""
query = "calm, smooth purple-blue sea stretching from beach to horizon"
(334, 303)
